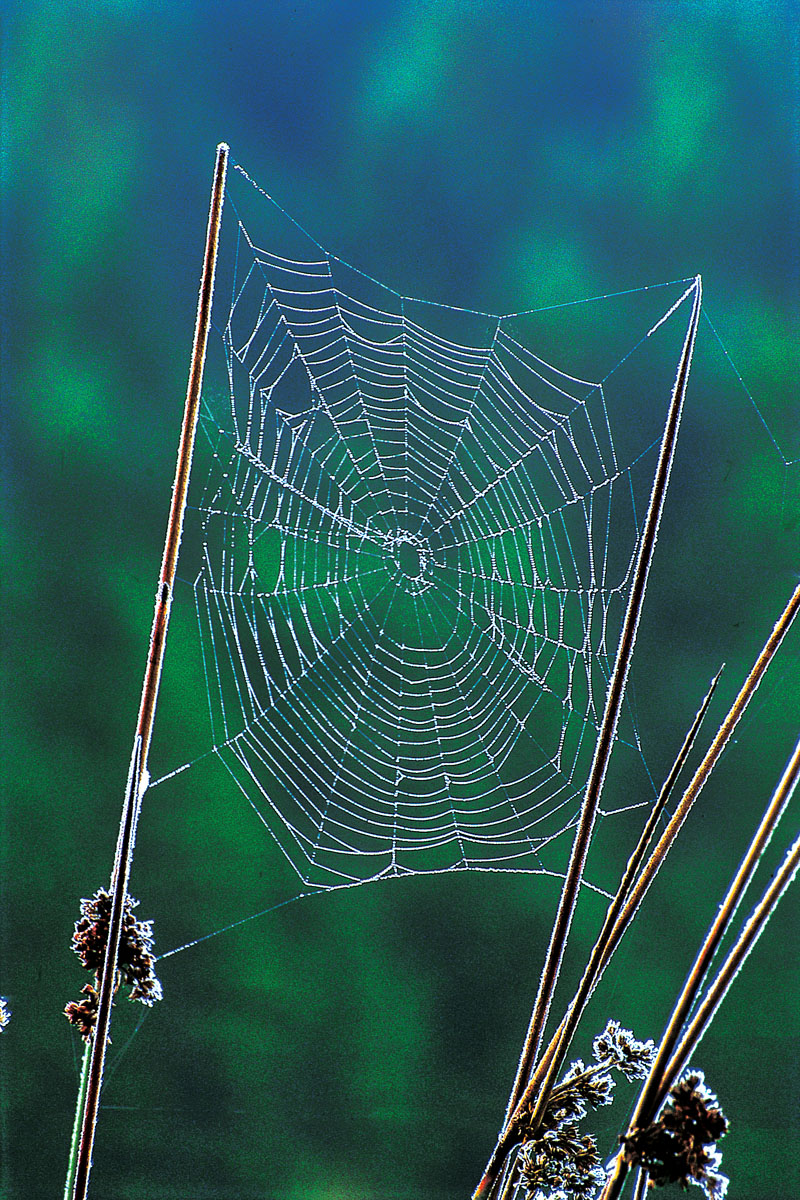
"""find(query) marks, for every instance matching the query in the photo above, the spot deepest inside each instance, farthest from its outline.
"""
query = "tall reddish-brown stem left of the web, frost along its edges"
(139, 772)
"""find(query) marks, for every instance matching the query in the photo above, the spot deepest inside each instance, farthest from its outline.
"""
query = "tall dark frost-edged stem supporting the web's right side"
(606, 736)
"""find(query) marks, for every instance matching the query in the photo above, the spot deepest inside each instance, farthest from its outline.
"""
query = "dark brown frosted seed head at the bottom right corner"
(679, 1148)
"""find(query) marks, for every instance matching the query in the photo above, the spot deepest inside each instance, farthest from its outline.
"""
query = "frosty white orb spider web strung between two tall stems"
(417, 543)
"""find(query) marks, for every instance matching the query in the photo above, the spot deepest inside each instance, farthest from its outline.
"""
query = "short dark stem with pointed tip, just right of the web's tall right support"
(540, 1085)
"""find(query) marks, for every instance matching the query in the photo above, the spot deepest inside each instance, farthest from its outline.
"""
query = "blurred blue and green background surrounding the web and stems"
(498, 157)
